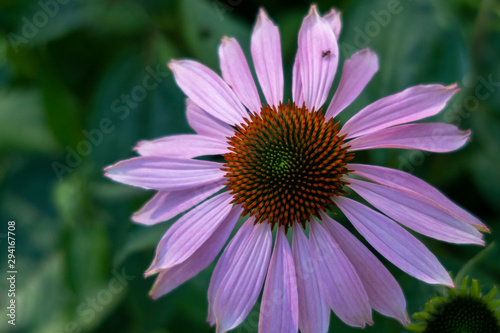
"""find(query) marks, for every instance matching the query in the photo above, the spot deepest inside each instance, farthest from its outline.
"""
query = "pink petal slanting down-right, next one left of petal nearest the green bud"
(384, 293)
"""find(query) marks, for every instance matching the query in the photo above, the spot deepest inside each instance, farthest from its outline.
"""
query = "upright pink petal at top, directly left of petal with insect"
(266, 55)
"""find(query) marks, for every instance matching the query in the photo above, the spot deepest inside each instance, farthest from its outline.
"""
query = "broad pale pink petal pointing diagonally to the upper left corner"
(207, 90)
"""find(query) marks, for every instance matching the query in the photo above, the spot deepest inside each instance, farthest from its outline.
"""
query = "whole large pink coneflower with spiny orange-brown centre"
(287, 164)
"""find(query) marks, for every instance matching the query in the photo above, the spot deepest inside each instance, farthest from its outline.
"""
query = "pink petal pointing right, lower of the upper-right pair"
(435, 137)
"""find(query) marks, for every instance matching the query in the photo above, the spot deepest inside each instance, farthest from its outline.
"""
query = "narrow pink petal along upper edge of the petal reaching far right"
(405, 181)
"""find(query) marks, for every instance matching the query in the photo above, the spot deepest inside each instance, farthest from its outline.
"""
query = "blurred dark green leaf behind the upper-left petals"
(137, 100)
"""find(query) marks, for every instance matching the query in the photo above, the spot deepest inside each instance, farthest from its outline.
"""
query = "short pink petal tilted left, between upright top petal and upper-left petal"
(236, 73)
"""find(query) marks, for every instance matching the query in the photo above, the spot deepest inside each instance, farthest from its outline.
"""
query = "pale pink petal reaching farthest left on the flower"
(165, 173)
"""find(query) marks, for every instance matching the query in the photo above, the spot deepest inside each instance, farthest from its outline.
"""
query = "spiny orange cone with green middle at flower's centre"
(285, 164)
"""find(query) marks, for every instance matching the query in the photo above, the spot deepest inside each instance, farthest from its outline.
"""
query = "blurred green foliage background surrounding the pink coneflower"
(66, 69)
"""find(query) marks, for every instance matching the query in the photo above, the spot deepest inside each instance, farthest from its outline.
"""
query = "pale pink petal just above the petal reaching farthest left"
(184, 146)
